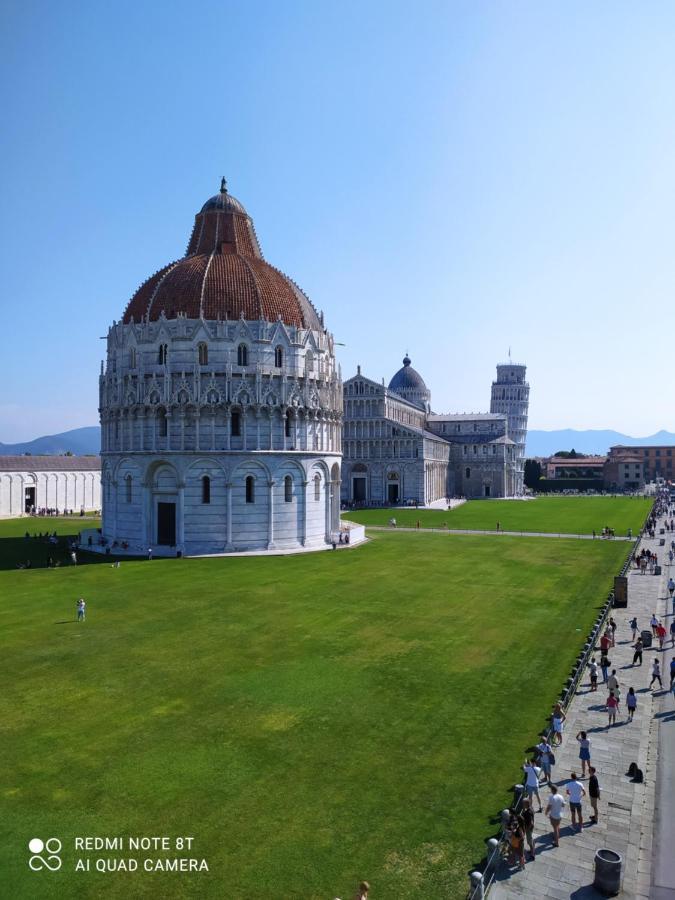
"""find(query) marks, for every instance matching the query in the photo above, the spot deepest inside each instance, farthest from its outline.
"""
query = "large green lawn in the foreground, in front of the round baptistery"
(309, 719)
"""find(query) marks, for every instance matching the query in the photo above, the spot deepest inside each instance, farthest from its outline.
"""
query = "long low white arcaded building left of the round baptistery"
(31, 483)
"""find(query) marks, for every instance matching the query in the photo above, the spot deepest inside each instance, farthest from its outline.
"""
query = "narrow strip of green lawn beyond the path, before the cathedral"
(567, 515)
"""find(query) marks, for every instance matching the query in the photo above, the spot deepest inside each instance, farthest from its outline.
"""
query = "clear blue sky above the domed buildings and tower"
(446, 178)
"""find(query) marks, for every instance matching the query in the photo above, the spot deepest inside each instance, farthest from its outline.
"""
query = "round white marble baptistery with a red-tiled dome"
(220, 404)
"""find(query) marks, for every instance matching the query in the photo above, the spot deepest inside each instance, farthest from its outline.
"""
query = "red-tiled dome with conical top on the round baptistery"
(223, 275)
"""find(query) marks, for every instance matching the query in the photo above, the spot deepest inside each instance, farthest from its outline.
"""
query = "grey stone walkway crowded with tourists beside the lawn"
(626, 810)
